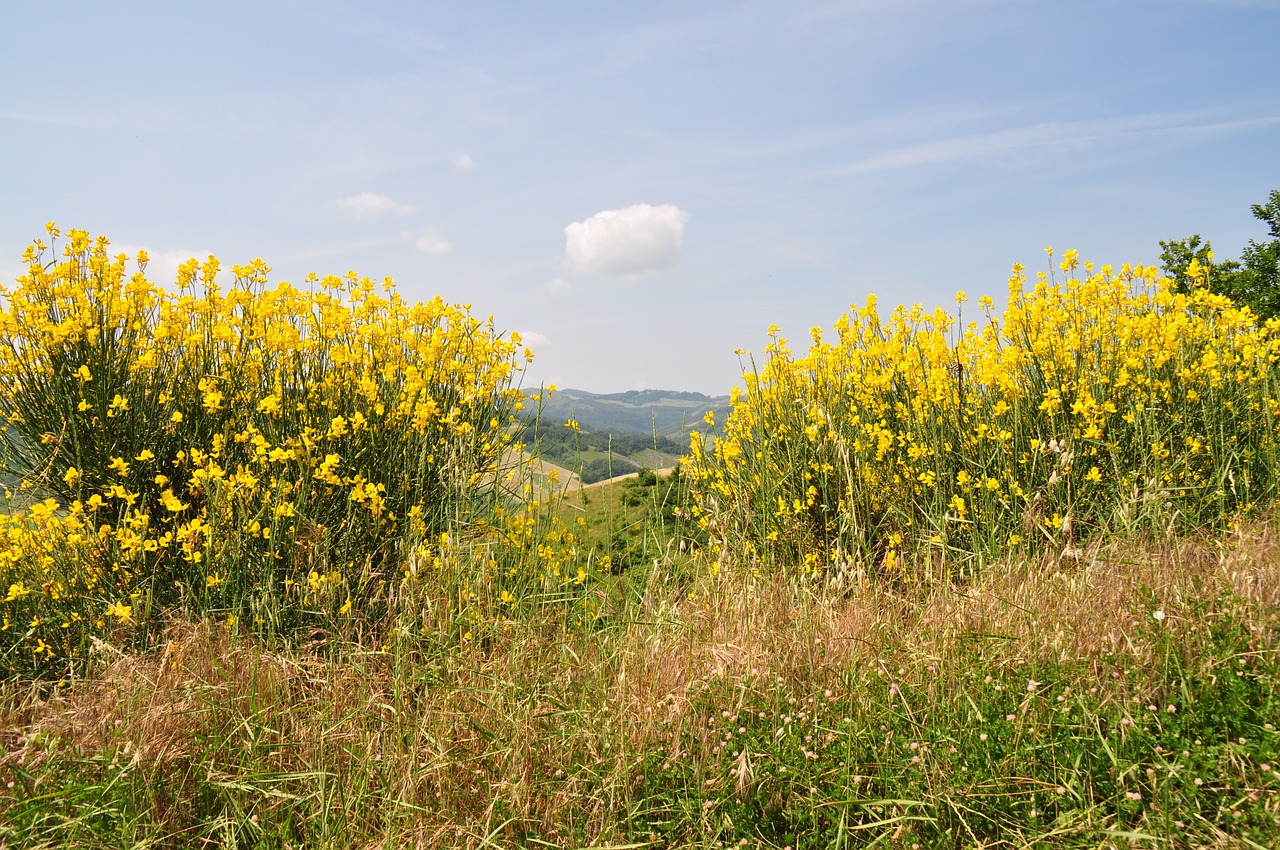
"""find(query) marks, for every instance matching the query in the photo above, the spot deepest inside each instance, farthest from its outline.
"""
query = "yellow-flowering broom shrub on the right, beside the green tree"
(920, 445)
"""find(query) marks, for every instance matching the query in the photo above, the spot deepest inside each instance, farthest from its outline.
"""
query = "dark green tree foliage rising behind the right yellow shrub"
(1252, 281)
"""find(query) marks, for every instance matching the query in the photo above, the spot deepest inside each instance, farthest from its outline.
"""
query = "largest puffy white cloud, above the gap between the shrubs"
(627, 243)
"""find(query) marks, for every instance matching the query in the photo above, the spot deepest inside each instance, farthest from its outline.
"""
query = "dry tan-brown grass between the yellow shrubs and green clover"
(547, 733)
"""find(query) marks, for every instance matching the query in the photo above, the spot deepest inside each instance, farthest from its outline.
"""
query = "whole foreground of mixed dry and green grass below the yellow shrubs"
(1127, 697)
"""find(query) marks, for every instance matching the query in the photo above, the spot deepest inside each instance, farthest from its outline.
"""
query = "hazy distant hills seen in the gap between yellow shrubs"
(619, 433)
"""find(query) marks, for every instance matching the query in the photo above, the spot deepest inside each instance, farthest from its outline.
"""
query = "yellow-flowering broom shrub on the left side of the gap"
(255, 449)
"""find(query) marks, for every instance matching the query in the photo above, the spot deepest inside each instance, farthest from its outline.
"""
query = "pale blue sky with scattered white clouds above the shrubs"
(642, 189)
